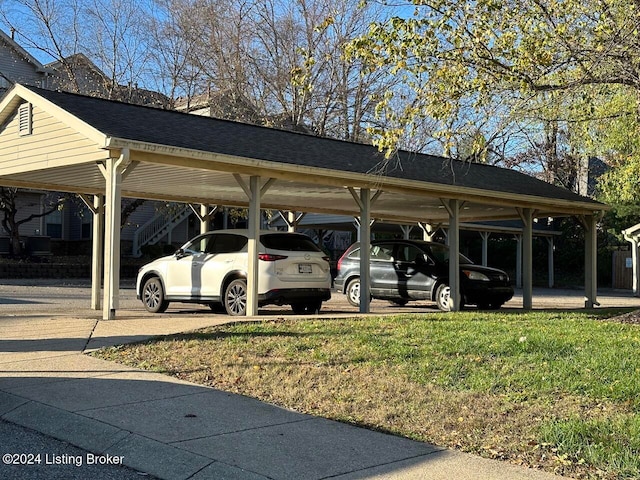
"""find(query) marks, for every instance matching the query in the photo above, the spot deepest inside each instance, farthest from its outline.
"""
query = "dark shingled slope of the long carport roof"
(176, 129)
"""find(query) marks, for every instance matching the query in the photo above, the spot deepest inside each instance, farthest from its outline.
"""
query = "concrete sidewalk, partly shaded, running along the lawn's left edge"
(177, 430)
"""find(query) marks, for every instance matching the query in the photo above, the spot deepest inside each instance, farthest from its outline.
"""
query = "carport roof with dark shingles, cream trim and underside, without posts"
(304, 165)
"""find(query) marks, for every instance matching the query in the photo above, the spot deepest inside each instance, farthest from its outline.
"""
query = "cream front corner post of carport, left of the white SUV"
(113, 171)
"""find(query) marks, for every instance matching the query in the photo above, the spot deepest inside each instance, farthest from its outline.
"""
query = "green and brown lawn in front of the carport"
(553, 390)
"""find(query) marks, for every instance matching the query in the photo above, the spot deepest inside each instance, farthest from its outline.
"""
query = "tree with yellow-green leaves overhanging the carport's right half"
(500, 59)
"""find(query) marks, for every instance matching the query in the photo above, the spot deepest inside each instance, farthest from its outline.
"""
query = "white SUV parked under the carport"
(212, 269)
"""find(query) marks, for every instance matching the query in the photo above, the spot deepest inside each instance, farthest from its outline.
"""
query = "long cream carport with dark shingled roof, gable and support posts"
(104, 150)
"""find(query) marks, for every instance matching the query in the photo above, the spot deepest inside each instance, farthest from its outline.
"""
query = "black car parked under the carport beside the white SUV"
(405, 270)
